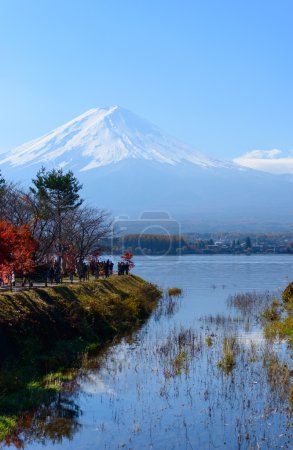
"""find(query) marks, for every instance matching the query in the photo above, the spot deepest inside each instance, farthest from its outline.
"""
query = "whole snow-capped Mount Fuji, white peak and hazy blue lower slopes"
(130, 166)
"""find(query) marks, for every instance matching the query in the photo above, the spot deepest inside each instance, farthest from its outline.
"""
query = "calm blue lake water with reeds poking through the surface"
(162, 387)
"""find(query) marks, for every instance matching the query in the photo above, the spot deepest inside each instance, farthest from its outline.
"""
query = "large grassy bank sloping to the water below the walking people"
(44, 331)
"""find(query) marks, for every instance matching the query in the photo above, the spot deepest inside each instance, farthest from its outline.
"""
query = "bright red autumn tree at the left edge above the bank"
(17, 247)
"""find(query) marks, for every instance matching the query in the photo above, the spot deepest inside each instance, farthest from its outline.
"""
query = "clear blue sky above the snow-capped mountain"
(215, 74)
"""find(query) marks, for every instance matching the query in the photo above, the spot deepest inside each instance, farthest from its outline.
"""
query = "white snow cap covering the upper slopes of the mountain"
(103, 136)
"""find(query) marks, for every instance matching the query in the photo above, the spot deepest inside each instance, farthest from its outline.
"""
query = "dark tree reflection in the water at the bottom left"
(53, 422)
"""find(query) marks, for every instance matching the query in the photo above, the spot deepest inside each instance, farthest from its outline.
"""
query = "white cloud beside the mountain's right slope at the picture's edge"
(272, 161)
